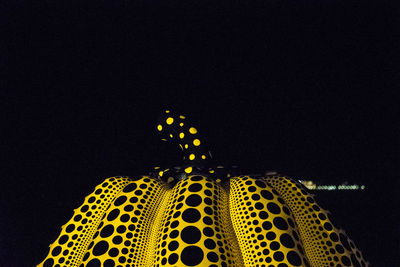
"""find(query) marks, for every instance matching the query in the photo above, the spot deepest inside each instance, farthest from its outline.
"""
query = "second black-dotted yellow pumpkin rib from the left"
(124, 235)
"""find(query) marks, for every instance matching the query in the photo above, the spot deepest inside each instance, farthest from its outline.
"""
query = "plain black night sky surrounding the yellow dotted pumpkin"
(303, 87)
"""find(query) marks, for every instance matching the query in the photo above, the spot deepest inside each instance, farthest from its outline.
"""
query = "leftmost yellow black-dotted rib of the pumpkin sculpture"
(76, 235)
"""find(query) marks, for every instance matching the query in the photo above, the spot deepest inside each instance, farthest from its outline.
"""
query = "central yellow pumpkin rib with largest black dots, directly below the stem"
(196, 228)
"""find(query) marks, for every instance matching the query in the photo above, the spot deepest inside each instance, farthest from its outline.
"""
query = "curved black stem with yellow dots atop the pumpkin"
(177, 128)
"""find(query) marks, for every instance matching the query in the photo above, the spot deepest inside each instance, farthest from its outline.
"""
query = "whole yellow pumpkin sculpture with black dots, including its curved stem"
(199, 217)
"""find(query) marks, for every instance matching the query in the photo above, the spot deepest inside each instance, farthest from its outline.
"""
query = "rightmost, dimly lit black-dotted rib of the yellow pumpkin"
(325, 245)
